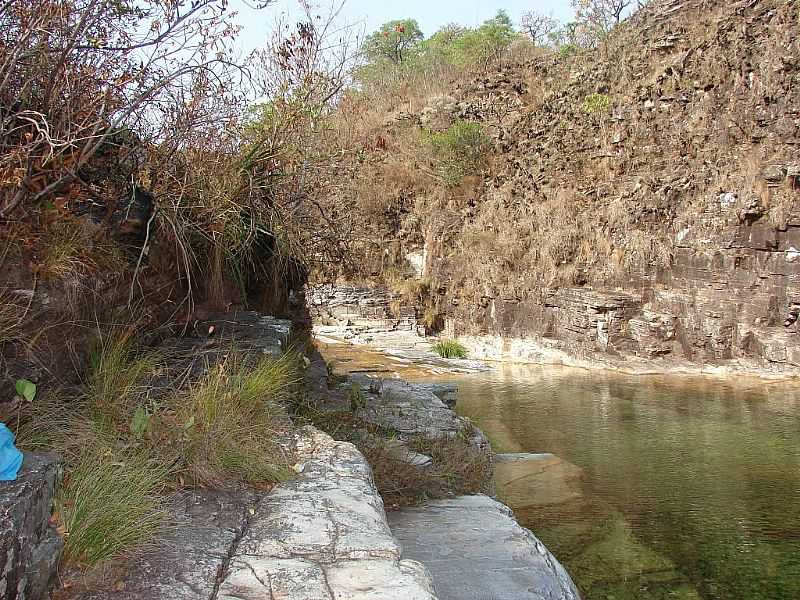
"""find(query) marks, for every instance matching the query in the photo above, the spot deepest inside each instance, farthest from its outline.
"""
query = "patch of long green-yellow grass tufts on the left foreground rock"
(127, 444)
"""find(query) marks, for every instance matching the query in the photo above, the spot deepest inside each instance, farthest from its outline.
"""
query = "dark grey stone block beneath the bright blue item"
(29, 548)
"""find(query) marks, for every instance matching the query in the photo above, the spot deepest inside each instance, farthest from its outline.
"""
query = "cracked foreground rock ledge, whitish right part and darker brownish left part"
(320, 536)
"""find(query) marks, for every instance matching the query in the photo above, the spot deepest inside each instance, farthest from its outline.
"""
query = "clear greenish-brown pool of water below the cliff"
(687, 488)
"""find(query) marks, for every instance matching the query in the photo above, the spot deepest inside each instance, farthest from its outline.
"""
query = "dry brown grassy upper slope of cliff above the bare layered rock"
(609, 139)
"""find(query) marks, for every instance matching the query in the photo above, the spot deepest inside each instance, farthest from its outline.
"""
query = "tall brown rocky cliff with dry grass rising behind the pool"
(641, 199)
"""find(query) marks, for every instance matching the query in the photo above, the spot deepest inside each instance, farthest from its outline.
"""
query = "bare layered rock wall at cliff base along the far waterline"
(732, 306)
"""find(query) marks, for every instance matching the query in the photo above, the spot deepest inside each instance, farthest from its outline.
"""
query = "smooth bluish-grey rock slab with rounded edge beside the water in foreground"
(474, 548)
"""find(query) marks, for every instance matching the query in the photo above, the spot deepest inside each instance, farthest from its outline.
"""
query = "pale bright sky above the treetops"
(371, 14)
